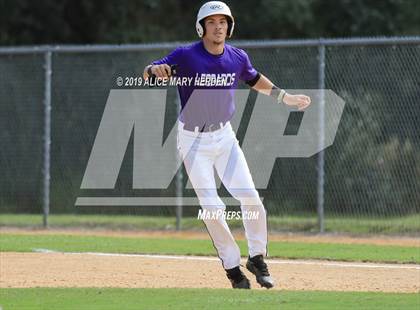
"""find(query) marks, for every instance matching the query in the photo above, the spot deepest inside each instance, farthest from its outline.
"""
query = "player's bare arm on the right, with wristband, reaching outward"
(263, 85)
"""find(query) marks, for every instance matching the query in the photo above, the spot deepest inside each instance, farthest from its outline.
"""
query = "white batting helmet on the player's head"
(213, 8)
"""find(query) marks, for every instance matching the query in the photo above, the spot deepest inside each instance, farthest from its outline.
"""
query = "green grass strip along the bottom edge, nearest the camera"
(105, 299)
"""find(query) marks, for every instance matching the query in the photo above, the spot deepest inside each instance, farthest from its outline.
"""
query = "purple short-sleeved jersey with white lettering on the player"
(217, 75)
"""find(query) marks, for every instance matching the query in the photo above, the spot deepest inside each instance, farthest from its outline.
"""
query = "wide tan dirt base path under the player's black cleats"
(137, 271)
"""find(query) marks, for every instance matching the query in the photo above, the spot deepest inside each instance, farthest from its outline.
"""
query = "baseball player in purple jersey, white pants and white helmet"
(206, 140)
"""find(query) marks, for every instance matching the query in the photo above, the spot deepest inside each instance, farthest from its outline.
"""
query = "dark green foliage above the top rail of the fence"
(86, 22)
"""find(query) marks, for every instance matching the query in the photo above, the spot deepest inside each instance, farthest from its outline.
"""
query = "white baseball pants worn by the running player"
(201, 153)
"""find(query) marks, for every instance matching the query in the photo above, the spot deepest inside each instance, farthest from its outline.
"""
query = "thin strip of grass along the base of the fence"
(399, 225)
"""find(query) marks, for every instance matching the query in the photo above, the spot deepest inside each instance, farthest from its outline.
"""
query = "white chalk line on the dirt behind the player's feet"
(270, 261)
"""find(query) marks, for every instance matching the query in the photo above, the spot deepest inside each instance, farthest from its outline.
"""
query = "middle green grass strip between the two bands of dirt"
(290, 250)
